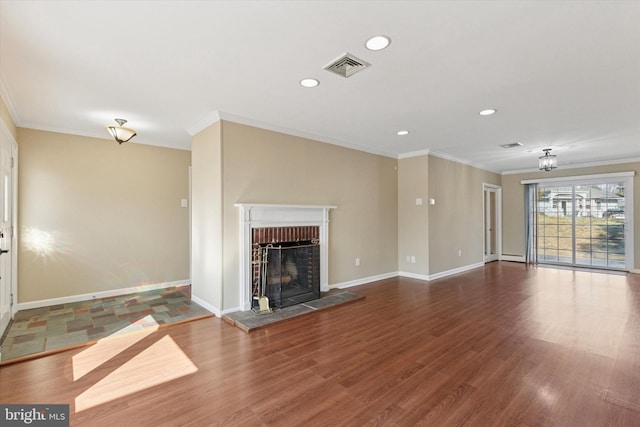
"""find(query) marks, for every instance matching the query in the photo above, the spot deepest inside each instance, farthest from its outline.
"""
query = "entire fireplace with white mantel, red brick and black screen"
(283, 253)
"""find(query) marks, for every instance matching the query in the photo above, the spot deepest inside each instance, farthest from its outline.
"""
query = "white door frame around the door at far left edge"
(6, 134)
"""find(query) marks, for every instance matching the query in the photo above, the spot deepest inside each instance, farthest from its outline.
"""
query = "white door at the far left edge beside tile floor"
(6, 231)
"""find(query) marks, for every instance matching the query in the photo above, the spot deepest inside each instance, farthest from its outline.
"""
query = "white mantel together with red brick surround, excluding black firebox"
(265, 223)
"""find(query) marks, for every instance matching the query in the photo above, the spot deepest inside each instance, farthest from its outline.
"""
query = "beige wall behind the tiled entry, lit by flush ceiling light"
(96, 216)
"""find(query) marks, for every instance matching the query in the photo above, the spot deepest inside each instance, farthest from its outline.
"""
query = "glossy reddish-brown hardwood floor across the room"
(503, 345)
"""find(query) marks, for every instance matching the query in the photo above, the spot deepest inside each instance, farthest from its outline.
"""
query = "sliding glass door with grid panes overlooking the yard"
(582, 224)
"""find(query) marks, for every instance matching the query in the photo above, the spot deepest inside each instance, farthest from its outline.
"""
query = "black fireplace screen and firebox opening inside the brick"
(291, 274)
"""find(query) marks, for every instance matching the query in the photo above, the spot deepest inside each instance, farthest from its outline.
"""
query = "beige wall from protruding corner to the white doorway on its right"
(456, 220)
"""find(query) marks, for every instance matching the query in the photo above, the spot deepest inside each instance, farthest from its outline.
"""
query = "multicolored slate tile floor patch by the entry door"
(56, 327)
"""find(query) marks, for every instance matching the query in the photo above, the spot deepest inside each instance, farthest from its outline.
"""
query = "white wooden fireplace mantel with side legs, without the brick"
(254, 215)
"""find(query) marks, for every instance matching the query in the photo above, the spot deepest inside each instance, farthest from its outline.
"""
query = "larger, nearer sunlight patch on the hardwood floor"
(159, 363)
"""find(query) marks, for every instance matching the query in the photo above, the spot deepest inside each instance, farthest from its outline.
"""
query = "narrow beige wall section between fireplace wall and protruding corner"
(413, 220)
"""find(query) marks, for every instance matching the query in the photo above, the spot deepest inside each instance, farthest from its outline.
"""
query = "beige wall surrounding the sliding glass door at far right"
(513, 203)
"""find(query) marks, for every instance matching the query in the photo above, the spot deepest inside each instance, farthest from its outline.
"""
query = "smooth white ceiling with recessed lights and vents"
(562, 74)
